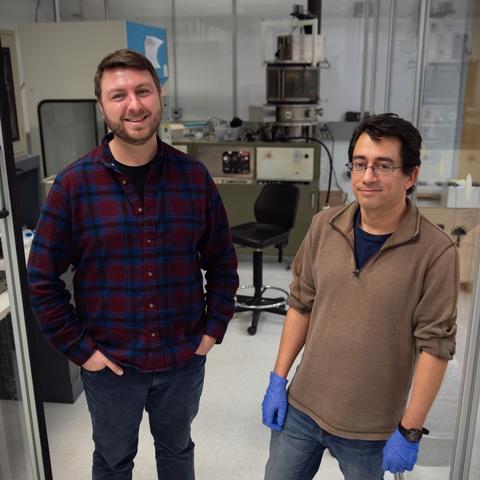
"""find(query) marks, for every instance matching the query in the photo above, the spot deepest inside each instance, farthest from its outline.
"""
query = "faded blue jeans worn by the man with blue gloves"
(296, 451)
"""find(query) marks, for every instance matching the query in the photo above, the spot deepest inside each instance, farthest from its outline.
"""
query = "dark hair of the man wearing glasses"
(391, 125)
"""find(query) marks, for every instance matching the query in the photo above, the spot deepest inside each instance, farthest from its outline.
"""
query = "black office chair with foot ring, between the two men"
(275, 211)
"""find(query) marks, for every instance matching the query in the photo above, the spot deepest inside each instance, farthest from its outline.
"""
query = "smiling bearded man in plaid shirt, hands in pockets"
(138, 221)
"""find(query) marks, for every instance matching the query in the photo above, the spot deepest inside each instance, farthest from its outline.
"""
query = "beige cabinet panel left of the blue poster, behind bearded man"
(76, 49)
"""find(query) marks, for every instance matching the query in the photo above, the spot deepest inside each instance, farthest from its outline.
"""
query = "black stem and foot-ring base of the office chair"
(257, 303)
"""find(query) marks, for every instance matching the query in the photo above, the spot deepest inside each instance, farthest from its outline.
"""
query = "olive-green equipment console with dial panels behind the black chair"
(240, 169)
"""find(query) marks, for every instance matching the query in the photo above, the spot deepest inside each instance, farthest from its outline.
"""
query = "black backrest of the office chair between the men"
(277, 204)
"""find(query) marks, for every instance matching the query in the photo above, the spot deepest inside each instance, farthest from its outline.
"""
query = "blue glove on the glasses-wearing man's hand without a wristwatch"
(274, 405)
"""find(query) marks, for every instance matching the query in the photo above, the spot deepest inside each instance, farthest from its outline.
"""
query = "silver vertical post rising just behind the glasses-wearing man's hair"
(421, 59)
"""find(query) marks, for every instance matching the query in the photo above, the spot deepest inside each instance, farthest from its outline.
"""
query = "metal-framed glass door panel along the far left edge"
(23, 450)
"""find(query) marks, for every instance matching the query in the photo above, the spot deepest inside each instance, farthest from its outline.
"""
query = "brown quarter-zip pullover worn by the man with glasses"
(368, 326)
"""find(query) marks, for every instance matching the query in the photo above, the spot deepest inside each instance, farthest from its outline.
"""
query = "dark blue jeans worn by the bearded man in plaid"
(116, 405)
